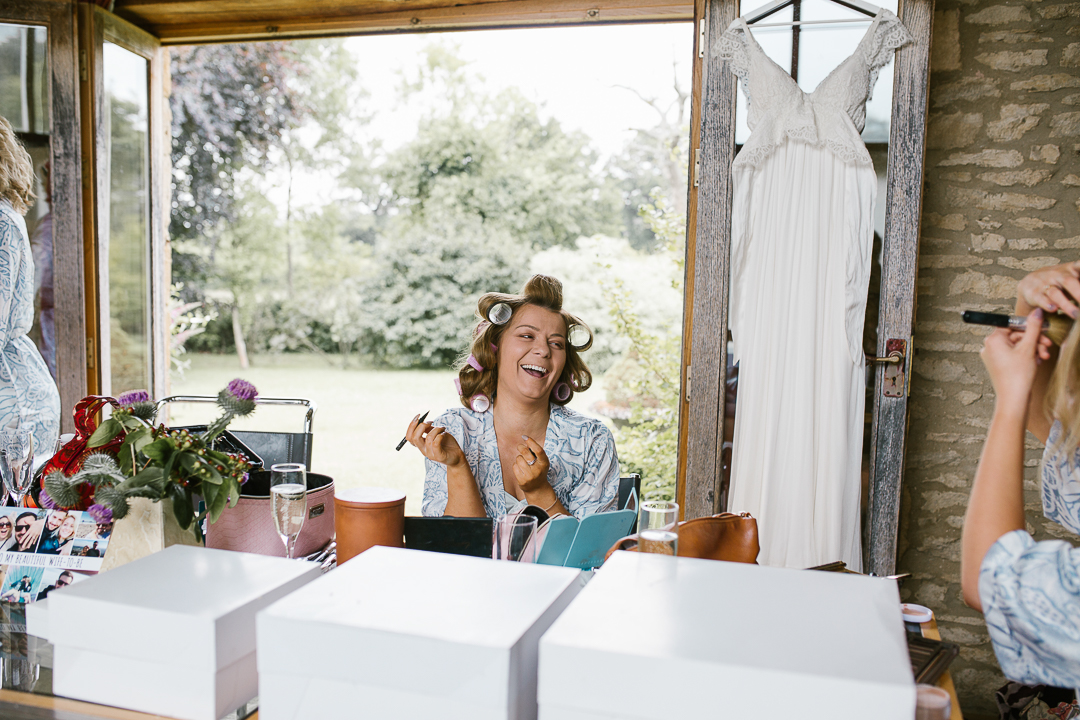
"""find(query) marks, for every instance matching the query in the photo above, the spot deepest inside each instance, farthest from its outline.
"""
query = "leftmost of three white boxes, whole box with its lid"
(171, 634)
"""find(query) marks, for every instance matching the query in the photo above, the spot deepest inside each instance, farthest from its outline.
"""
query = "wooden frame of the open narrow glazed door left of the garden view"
(98, 26)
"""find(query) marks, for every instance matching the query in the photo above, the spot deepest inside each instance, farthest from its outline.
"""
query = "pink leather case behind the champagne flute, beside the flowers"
(249, 527)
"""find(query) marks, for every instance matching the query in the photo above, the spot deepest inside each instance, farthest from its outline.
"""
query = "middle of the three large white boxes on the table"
(407, 635)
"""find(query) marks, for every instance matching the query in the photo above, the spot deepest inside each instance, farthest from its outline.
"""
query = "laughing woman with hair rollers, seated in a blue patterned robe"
(515, 442)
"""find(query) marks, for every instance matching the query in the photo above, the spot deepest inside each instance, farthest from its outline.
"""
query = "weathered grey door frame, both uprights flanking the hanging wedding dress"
(709, 238)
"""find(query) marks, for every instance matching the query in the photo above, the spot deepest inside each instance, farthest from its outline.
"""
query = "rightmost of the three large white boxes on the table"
(660, 637)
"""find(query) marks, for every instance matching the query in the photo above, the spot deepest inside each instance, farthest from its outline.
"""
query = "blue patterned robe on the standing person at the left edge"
(28, 390)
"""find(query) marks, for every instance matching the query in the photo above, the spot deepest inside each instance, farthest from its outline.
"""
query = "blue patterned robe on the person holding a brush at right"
(1031, 591)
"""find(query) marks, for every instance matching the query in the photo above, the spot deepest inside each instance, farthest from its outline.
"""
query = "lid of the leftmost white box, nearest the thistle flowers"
(192, 605)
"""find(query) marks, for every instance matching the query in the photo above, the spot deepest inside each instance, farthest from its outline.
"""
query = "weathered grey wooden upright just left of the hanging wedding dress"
(709, 311)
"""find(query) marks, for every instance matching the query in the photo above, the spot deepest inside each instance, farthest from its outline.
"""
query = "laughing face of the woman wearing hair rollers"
(532, 354)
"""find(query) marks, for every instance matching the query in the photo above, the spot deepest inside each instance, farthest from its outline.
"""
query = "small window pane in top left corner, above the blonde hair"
(24, 74)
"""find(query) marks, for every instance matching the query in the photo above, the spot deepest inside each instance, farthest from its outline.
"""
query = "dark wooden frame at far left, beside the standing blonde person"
(59, 19)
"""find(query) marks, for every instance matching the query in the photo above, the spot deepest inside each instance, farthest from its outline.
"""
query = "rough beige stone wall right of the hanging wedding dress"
(1003, 184)
